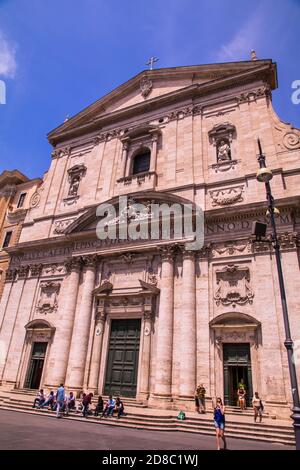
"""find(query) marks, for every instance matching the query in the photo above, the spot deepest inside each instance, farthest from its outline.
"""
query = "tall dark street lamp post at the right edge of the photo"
(264, 175)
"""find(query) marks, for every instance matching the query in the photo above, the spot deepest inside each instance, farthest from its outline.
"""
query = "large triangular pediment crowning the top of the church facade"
(151, 85)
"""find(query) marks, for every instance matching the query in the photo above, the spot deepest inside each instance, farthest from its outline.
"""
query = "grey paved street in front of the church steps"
(24, 431)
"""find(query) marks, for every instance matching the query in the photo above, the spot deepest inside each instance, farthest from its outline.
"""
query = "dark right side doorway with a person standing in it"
(237, 367)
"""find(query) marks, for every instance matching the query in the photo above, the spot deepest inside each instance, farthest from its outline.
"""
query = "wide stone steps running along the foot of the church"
(151, 421)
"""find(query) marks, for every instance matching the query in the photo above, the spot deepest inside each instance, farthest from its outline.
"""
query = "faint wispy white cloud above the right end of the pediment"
(244, 40)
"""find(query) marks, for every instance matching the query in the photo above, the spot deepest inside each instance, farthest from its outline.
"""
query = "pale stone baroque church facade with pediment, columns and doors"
(151, 318)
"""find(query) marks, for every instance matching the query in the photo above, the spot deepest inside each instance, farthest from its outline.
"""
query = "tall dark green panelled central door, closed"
(123, 356)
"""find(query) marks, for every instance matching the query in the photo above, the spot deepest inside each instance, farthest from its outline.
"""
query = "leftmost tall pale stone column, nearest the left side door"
(59, 353)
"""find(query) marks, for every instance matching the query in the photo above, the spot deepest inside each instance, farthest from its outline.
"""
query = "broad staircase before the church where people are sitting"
(238, 425)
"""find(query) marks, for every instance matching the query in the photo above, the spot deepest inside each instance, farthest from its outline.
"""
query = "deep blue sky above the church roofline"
(58, 56)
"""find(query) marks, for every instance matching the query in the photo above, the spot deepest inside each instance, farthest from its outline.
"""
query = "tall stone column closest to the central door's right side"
(163, 373)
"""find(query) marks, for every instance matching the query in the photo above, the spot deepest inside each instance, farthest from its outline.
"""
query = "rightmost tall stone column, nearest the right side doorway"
(188, 328)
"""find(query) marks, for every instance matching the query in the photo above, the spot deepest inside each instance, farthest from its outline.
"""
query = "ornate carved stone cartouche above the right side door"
(233, 286)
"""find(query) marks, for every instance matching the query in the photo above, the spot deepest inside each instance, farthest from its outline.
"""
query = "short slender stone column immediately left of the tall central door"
(97, 350)
